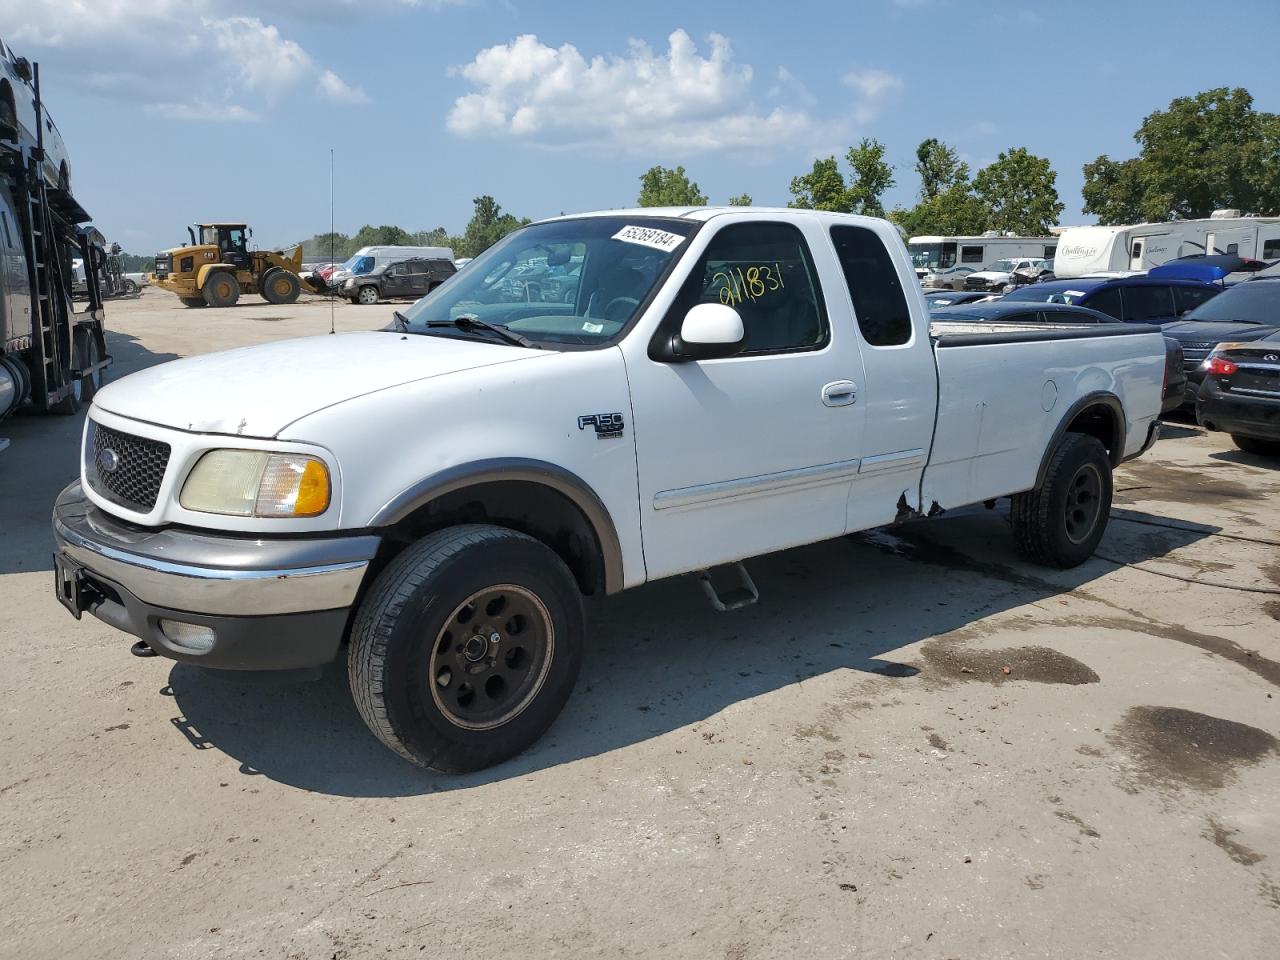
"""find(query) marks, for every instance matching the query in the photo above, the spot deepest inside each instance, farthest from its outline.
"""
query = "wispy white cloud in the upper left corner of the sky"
(153, 51)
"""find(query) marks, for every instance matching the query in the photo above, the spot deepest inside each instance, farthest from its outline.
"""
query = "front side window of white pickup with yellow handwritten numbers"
(766, 273)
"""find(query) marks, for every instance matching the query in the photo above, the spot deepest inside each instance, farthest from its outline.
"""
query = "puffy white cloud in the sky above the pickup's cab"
(642, 100)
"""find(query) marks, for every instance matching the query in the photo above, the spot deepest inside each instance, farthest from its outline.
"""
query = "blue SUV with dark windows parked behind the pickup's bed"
(1140, 300)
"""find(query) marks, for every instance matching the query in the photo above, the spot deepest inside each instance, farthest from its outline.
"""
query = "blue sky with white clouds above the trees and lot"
(179, 111)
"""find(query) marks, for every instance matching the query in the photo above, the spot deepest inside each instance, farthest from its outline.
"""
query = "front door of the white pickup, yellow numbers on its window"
(756, 452)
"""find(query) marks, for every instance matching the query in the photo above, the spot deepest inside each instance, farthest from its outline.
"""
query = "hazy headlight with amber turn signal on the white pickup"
(258, 484)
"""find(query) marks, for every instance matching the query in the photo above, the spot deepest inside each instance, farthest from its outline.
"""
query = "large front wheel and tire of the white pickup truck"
(440, 698)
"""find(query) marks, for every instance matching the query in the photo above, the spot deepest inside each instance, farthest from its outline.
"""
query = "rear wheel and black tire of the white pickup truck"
(1062, 523)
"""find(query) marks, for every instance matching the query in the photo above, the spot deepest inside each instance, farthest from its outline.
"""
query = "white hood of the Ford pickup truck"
(259, 391)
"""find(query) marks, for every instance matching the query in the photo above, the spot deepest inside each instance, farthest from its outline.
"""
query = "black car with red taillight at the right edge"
(1241, 395)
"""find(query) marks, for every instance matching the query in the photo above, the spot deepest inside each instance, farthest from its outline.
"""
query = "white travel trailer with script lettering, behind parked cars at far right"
(1087, 252)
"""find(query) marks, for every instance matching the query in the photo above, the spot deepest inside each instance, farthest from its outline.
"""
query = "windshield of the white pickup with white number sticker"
(564, 282)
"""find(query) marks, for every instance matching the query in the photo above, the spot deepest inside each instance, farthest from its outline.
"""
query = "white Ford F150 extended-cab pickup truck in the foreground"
(720, 383)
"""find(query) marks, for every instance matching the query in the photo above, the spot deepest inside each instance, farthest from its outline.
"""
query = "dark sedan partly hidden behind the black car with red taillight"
(1242, 314)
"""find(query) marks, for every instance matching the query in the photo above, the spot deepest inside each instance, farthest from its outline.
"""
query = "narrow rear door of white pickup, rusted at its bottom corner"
(899, 392)
